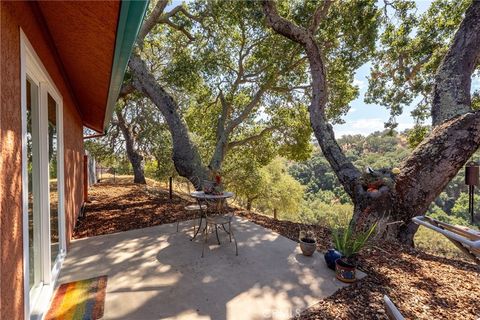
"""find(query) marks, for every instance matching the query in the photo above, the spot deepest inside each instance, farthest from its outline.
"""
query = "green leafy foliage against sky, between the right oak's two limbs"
(410, 48)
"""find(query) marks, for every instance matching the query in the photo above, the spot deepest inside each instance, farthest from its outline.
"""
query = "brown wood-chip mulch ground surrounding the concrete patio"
(423, 286)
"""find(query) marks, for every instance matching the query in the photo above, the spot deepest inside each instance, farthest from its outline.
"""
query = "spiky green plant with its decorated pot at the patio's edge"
(349, 242)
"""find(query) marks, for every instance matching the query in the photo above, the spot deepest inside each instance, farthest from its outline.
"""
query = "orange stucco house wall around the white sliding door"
(13, 16)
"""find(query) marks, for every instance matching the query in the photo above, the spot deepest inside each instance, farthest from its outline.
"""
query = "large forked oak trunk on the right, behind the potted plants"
(426, 172)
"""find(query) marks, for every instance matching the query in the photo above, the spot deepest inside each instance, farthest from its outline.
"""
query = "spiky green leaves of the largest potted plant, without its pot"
(349, 241)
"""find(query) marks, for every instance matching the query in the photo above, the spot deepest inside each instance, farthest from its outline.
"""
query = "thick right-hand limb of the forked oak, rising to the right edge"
(437, 159)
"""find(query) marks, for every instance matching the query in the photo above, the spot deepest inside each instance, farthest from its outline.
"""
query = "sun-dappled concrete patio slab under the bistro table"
(157, 273)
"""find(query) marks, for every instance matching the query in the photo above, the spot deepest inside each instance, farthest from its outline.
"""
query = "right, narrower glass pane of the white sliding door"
(53, 181)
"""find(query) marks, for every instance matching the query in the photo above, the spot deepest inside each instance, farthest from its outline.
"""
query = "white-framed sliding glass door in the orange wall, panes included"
(43, 183)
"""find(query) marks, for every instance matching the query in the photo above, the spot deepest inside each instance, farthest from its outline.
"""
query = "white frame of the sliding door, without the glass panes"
(31, 65)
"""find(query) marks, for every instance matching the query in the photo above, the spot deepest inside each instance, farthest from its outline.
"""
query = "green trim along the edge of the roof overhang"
(130, 20)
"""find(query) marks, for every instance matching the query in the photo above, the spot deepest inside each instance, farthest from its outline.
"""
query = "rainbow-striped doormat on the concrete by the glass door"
(79, 300)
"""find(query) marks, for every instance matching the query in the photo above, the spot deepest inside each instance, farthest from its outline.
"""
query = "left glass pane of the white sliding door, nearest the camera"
(33, 165)
